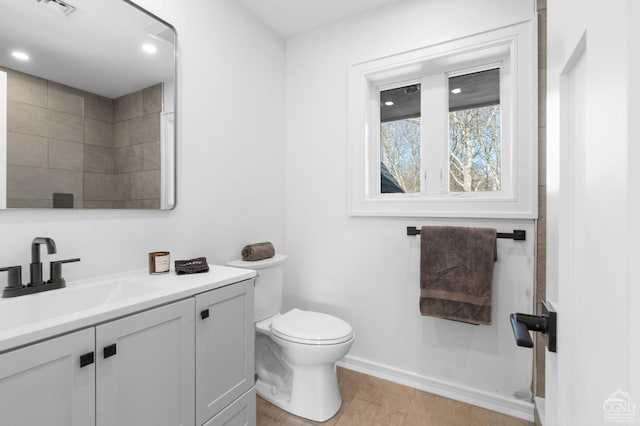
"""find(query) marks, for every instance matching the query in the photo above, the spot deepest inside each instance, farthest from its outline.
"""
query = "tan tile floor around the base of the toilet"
(369, 401)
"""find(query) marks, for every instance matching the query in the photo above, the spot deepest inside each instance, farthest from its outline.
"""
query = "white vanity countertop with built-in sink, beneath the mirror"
(84, 303)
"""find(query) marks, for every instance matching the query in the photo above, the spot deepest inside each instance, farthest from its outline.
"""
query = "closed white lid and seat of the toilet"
(311, 328)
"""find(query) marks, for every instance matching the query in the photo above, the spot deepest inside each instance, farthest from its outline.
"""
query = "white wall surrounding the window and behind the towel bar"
(366, 269)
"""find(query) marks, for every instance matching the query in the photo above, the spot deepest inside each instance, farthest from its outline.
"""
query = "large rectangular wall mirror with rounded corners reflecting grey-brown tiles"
(87, 105)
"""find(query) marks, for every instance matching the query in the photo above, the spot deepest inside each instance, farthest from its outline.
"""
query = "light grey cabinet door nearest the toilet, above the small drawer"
(224, 347)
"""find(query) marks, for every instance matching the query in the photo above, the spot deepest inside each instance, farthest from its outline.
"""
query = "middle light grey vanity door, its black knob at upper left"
(145, 368)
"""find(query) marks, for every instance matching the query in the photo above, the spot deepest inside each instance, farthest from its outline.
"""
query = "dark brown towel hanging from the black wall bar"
(456, 272)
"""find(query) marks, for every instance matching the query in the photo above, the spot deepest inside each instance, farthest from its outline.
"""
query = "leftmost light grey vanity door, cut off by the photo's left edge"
(44, 383)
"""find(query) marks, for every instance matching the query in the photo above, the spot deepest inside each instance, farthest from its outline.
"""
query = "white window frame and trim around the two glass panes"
(514, 50)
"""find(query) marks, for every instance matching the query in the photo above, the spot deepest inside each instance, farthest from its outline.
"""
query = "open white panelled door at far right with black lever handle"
(591, 277)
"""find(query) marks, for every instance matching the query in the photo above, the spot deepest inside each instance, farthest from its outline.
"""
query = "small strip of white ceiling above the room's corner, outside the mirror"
(290, 18)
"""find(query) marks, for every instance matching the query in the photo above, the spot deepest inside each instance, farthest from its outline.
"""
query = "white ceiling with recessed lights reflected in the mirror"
(96, 48)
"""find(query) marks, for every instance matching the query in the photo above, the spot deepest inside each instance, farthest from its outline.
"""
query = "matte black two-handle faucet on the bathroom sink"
(36, 283)
